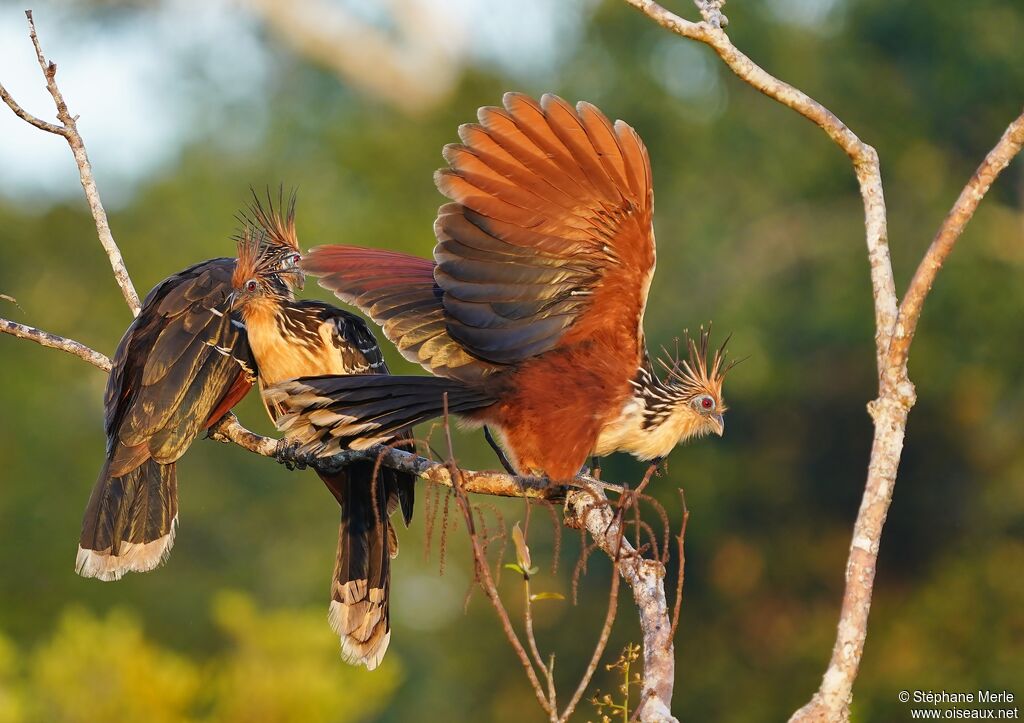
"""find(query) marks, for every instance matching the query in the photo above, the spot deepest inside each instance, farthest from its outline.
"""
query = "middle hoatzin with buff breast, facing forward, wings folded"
(291, 339)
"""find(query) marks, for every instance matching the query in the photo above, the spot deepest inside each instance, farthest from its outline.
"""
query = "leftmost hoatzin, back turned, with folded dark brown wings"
(181, 366)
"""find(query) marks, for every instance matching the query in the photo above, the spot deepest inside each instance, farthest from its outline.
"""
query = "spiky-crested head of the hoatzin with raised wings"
(695, 387)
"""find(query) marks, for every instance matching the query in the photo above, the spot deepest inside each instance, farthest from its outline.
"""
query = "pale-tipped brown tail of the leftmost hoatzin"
(131, 522)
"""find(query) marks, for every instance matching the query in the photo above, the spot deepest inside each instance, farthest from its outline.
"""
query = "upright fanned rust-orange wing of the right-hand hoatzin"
(549, 240)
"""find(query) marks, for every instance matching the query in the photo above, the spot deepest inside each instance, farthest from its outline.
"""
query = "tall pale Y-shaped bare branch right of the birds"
(894, 332)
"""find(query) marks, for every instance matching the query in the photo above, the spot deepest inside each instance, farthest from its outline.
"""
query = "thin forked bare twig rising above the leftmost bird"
(69, 130)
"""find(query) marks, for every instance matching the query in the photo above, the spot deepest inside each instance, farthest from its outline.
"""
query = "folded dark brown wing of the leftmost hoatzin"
(168, 377)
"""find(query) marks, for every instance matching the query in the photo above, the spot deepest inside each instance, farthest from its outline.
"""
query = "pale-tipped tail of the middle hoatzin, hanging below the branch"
(367, 542)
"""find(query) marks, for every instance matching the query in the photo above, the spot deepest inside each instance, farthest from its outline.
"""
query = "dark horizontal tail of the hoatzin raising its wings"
(332, 413)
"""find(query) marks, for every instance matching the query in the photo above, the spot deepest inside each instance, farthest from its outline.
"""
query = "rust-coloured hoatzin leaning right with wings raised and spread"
(532, 311)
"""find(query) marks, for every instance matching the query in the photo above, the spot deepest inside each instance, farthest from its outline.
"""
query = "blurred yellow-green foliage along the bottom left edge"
(275, 668)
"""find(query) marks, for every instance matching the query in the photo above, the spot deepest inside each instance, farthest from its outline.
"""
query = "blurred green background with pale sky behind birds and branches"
(186, 105)
